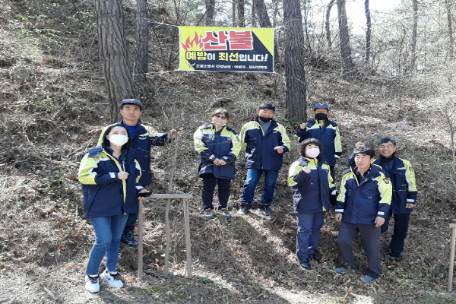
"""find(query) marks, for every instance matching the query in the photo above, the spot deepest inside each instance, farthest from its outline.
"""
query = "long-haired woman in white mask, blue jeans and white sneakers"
(109, 175)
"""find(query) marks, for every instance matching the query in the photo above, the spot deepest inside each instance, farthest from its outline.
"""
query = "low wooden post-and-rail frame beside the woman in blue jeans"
(169, 197)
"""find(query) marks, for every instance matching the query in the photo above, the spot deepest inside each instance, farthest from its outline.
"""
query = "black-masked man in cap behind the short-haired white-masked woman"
(326, 131)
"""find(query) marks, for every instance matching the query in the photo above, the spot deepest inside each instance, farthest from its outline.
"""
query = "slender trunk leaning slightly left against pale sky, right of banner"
(345, 49)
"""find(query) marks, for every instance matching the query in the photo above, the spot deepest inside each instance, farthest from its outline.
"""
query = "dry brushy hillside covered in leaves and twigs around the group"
(53, 107)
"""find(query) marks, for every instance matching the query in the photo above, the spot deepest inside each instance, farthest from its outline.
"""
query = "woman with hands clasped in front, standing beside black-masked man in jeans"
(218, 147)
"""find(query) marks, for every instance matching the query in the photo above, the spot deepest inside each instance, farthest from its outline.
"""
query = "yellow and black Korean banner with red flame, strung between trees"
(226, 49)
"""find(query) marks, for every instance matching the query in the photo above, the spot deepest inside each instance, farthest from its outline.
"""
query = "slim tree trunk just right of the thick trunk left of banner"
(142, 48)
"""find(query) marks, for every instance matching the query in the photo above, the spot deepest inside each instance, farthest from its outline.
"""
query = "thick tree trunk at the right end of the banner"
(294, 62)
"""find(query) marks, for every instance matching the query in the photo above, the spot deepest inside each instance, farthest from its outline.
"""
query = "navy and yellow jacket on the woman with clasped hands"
(212, 144)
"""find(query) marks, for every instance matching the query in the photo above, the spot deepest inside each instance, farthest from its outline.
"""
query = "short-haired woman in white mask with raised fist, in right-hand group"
(312, 185)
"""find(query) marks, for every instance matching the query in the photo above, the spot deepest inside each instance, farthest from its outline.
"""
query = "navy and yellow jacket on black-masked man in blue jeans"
(259, 145)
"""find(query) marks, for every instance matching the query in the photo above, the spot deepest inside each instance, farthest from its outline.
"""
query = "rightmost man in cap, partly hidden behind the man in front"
(402, 176)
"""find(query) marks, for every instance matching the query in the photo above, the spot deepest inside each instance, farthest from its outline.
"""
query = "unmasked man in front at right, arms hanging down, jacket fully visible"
(362, 205)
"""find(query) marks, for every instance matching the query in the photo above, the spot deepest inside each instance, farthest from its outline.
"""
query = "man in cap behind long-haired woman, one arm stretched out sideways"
(142, 138)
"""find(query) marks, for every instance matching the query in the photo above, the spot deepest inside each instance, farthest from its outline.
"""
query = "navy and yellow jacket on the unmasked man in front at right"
(362, 201)
